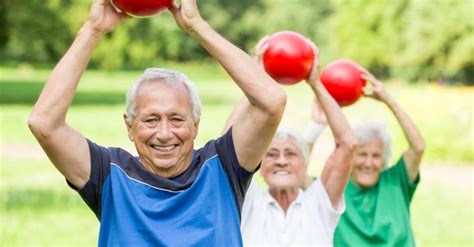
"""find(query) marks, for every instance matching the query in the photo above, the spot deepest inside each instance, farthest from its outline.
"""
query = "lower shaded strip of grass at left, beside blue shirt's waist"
(44, 199)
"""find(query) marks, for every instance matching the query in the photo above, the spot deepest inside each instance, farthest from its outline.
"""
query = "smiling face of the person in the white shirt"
(283, 166)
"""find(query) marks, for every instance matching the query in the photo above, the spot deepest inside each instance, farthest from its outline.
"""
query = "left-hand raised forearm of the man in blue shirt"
(59, 90)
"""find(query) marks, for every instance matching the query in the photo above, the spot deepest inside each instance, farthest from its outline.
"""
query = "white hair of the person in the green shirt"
(370, 131)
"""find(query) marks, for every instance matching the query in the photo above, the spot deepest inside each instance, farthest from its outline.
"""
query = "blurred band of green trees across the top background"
(416, 40)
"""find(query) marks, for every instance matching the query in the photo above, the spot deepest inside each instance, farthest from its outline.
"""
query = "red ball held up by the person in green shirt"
(342, 80)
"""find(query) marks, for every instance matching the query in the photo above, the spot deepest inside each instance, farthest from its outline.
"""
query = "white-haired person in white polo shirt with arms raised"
(284, 214)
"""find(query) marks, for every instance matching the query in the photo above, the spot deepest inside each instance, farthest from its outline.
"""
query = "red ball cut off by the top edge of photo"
(141, 8)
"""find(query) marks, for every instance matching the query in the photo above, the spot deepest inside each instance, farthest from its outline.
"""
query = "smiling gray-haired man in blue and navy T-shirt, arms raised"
(169, 195)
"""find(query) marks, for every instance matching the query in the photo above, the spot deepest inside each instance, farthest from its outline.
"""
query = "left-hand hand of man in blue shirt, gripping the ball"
(103, 18)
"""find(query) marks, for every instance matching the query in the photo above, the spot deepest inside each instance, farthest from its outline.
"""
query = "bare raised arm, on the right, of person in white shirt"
(337, 169)
